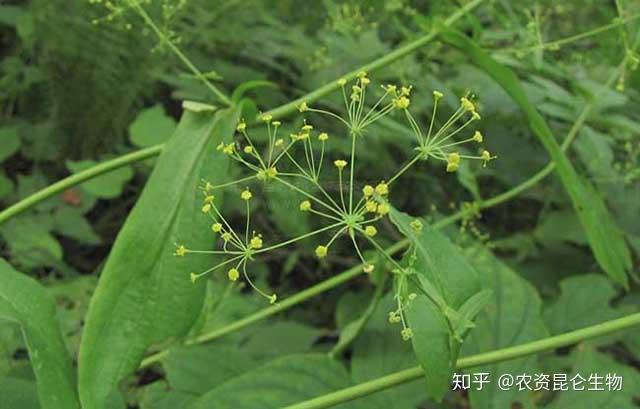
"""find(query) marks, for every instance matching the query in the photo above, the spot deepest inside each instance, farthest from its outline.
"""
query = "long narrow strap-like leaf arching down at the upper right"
(604, 237)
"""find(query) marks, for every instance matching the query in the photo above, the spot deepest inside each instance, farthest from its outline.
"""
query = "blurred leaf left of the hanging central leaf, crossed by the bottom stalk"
(380, 351)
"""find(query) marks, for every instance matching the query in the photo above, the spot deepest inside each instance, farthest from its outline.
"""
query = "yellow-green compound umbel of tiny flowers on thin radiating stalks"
(297, 161)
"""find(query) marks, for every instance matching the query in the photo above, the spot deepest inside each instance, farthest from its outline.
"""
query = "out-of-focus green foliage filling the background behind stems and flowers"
(74, 93)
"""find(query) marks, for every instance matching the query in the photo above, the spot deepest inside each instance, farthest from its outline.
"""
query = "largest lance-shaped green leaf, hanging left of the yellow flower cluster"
(145, 295)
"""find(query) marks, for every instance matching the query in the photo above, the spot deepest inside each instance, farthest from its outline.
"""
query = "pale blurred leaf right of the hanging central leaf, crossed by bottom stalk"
(511, 318)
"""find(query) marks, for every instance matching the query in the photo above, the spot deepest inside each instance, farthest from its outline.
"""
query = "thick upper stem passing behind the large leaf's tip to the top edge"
(276, 113)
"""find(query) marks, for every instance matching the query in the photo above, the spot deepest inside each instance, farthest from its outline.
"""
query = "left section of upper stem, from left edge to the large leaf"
(78, 178)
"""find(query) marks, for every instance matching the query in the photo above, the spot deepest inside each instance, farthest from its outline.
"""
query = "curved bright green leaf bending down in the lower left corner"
(24, 301)
